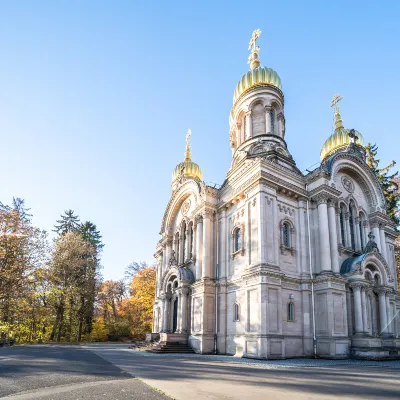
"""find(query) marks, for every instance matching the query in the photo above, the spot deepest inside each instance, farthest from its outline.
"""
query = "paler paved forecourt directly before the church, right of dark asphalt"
(185, 377)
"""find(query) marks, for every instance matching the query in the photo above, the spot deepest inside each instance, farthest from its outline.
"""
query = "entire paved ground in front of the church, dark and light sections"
(106, 371)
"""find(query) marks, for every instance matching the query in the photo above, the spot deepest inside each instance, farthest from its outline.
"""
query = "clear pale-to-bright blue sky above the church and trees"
(96, 98)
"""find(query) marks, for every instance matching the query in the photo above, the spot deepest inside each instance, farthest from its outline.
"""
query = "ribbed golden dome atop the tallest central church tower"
(254, 77)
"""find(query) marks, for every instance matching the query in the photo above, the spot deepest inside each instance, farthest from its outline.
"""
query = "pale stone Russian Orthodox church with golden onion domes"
(275, 263)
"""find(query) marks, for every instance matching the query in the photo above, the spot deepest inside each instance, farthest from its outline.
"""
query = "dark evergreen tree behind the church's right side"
(388, 182)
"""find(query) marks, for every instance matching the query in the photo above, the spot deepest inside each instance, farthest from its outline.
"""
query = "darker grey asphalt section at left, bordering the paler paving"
(66, 372)
